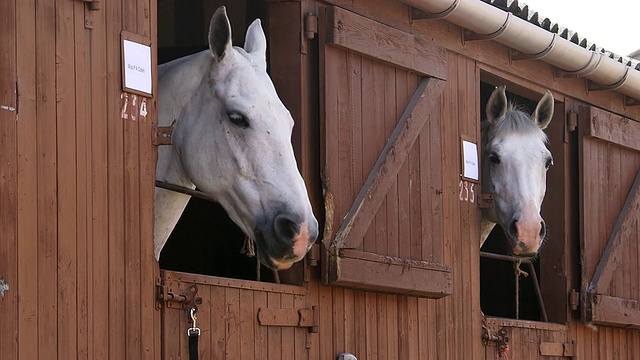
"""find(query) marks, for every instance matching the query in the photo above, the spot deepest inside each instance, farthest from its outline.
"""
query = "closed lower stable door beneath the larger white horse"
(238, 319)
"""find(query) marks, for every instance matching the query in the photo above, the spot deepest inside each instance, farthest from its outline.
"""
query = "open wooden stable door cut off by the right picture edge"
(610, 210)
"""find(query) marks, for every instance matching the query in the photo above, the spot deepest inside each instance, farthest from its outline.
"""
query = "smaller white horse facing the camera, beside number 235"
(515, 161)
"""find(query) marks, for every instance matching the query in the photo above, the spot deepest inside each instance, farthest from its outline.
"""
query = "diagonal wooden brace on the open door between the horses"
(389, 162)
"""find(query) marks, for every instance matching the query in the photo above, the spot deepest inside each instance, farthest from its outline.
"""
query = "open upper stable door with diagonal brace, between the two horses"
(382, 156)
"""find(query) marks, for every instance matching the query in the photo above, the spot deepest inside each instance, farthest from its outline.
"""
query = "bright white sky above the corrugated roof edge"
(610, 24)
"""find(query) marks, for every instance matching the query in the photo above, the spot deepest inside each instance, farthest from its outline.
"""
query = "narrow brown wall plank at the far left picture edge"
(8, 185)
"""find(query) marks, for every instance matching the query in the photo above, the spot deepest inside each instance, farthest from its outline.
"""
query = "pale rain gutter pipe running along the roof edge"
(518, 34)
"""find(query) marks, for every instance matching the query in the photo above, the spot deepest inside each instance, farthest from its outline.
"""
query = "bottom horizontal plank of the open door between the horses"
(395, 275)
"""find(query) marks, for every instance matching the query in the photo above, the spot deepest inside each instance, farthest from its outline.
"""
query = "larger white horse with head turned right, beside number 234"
(232, 140)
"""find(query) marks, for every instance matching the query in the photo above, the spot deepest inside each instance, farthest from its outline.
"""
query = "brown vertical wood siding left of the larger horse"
(73, 171)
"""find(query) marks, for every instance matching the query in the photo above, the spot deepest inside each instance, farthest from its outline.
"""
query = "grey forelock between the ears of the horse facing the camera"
(515, 121)
